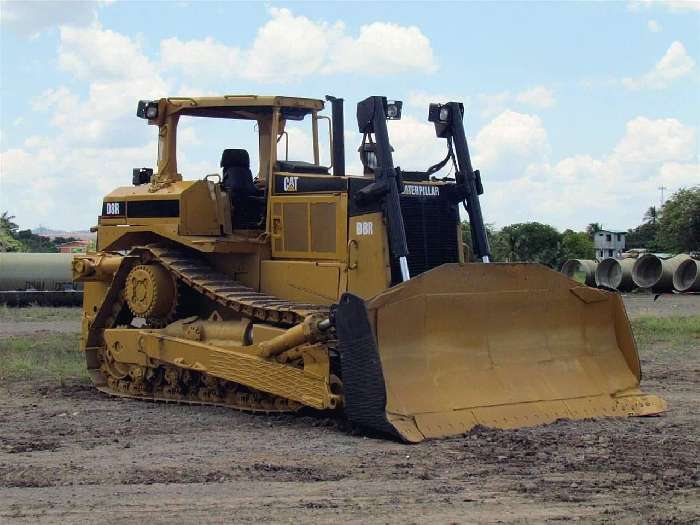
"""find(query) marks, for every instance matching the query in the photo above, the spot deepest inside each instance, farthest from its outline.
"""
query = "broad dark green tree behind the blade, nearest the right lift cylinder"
(531, 242)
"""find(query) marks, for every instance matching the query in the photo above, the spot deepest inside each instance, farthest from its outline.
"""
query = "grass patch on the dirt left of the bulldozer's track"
(44, 356)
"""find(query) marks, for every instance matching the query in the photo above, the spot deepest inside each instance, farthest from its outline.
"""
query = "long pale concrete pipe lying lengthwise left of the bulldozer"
(36, 271)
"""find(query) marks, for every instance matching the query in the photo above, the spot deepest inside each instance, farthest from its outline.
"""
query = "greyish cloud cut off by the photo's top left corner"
(31, 18)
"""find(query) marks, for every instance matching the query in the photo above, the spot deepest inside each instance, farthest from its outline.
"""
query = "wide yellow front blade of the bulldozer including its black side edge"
(498, 345)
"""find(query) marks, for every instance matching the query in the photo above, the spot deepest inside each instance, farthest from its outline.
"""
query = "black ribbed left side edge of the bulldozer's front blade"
(363, 380)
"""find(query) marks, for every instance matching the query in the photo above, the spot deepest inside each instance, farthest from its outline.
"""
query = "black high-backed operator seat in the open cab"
(247, 200)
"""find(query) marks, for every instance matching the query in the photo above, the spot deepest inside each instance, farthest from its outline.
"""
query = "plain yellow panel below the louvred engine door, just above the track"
(301, 281)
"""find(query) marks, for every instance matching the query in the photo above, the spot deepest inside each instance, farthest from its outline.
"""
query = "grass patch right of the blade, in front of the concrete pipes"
(678, 332)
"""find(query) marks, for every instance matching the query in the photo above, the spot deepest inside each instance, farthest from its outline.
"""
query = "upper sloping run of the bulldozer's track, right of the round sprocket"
(200, 276)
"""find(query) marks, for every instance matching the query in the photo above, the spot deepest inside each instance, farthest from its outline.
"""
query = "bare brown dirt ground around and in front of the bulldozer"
(69, 454)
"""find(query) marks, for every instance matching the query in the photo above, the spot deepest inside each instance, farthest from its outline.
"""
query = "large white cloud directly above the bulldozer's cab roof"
(289, 47)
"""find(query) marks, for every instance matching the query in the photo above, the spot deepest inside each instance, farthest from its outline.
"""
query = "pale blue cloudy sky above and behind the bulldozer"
(576, 112)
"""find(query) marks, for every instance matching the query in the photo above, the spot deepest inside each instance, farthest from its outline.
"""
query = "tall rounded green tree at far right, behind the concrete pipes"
(679, 225)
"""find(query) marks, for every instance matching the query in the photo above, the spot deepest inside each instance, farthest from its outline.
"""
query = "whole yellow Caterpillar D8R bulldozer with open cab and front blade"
(305, 286)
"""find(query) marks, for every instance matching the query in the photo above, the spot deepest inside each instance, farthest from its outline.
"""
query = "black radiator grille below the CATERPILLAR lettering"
(431, 234)
